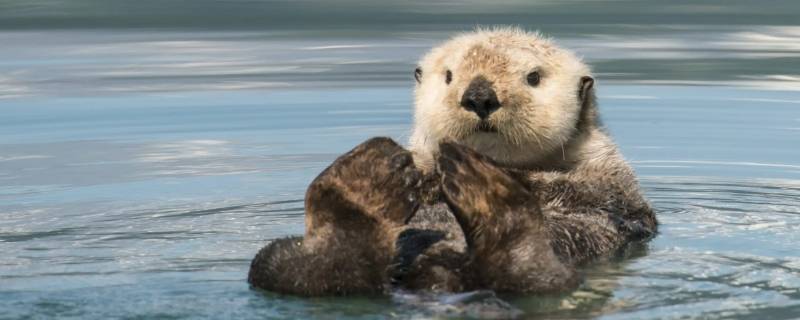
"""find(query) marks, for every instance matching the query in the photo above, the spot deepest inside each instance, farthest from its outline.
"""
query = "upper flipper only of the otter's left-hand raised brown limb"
(376, 179)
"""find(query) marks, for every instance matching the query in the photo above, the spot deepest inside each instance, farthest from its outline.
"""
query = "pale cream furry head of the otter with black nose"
(509, 94)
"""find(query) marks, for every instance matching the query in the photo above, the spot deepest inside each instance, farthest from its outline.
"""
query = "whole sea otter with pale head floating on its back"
(509, 184)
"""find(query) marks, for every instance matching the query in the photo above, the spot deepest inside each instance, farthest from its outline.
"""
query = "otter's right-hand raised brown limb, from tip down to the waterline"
(509, 246)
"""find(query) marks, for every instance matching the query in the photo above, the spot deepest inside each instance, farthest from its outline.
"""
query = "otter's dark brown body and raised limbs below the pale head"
(480, 226)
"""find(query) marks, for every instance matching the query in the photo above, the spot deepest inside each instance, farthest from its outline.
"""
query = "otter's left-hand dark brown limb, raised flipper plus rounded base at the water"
(354, 210)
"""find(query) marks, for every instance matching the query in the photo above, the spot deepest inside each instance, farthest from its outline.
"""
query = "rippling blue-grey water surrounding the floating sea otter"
(148, 151)
